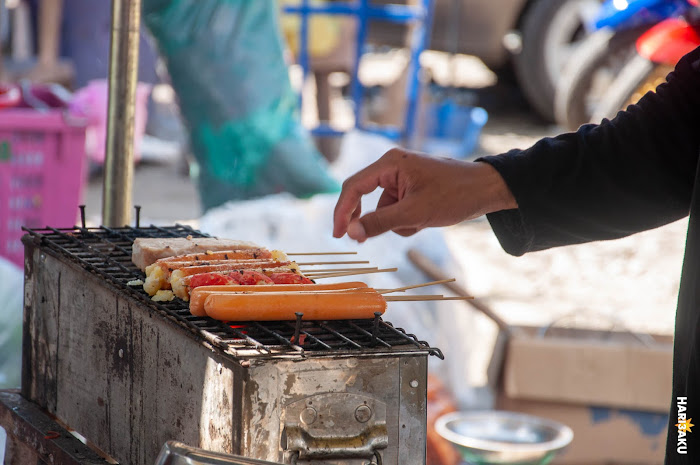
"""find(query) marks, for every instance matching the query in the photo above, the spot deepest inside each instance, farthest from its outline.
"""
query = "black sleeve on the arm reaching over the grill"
(606, 181)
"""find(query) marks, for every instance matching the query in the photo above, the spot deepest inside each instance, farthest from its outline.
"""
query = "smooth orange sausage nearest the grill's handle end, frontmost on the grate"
(273, 306)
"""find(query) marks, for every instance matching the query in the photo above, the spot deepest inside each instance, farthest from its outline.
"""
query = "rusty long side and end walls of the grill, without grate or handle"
(130, 380)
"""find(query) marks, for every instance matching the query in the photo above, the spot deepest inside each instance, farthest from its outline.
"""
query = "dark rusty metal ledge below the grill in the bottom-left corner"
(34, 437)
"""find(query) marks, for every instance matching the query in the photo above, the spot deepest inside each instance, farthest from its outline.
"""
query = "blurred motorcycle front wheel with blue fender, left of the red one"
(594, 65)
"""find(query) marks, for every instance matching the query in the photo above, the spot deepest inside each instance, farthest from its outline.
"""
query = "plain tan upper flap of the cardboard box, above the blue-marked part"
(584, 367)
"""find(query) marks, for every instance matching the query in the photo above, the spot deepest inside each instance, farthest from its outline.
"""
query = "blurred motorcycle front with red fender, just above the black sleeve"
(658, 51)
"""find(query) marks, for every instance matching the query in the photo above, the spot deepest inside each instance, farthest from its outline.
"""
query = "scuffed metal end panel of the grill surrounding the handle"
(273, 389)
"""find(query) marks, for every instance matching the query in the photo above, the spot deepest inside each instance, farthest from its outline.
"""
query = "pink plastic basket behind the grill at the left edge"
(42, 173)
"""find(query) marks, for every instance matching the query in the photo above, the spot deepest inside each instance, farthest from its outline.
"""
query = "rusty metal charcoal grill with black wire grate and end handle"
(130, 373)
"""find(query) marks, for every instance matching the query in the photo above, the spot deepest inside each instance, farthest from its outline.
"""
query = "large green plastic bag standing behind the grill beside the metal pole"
(225, 59)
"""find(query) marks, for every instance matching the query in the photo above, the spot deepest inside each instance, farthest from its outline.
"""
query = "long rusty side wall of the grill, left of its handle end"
(116, 372)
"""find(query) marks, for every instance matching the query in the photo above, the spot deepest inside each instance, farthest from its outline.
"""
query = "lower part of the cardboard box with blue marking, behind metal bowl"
(601, 435)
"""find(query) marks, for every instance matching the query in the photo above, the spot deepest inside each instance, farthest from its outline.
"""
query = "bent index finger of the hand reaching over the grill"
(361, 183)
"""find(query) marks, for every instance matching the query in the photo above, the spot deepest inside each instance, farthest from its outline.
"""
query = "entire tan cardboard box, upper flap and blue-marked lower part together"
(612, 388)
